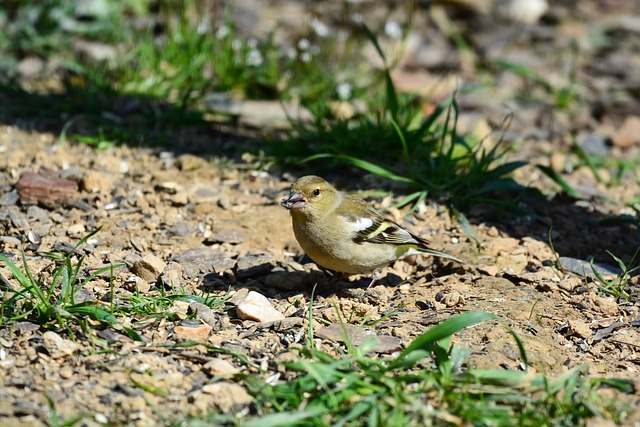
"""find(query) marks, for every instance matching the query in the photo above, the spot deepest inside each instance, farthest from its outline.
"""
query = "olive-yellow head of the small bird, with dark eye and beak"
(311, 196)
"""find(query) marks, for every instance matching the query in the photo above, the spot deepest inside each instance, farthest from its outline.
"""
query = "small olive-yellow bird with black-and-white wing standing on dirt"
(343, 233)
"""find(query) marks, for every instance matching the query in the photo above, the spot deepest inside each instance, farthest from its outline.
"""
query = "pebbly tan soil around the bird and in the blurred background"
(186, 223)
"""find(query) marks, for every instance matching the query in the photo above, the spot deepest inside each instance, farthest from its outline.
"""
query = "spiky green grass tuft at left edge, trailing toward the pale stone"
(50, 300)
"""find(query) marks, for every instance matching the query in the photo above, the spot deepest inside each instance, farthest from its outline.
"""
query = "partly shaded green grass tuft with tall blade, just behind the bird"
(396, 142)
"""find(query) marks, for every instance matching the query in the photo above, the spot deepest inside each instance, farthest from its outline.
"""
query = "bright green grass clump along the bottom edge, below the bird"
(425, 384)
